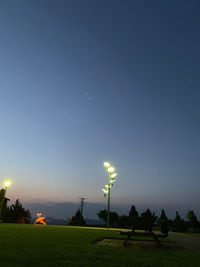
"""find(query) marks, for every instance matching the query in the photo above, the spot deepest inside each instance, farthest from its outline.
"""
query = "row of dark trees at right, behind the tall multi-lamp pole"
(147, 220)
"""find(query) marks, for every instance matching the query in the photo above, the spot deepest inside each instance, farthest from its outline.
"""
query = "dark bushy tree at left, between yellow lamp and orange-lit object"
(17, 214)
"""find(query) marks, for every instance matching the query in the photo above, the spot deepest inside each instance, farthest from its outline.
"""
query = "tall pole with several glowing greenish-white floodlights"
(111, 179)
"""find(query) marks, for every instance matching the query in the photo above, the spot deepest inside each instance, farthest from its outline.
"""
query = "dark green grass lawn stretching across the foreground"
(28, 245)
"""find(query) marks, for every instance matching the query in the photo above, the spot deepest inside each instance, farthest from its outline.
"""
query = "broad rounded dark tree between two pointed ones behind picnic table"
(147, 220)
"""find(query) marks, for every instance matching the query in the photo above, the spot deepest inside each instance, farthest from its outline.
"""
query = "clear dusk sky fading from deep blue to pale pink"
(82, 82)
